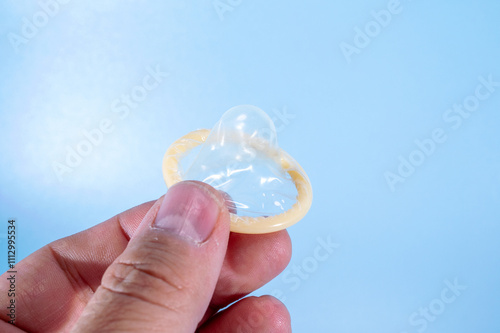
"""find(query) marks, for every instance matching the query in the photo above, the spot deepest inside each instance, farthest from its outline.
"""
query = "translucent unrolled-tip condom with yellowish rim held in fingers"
(240, 156)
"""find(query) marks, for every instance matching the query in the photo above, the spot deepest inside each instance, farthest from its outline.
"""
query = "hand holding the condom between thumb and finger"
(164, 266)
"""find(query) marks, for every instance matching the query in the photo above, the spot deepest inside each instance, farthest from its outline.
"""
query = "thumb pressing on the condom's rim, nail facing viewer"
(165, 278)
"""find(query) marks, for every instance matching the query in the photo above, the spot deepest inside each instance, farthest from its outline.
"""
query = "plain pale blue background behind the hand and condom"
(350, 119)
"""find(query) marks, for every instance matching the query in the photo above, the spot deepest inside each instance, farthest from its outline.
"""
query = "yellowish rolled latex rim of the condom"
(245, 224)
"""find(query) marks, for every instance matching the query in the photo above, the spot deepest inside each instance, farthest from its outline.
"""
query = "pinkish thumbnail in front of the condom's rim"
(188, 210)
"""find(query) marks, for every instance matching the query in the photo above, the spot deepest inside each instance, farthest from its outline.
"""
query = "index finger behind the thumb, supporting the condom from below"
(59, 279)
